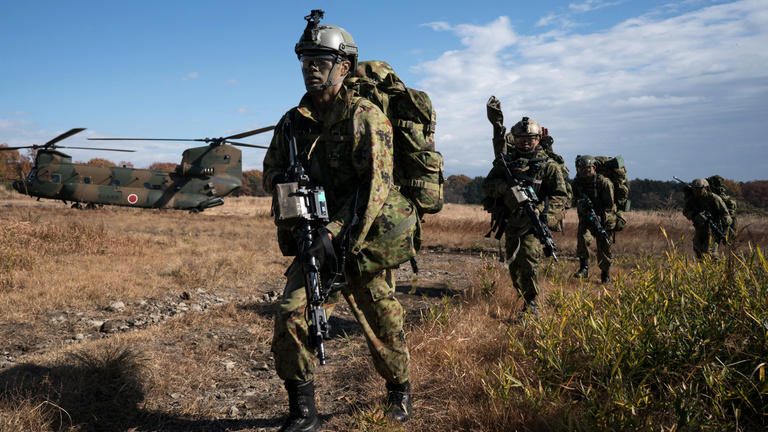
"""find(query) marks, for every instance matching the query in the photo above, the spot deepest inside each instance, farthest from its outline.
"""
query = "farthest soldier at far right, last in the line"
(709, 215)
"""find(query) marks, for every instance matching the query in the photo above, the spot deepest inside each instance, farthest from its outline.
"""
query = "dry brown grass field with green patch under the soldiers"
(144, 320)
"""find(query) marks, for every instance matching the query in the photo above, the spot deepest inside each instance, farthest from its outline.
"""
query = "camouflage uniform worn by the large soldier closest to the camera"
(349, 151)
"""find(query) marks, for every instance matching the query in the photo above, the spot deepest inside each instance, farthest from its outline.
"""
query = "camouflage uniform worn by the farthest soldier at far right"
(693, 210)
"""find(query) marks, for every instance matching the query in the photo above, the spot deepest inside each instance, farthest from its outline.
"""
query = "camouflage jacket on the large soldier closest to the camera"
(347, 151)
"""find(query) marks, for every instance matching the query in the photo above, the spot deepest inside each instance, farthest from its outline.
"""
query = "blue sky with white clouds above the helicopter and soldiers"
(676, 87)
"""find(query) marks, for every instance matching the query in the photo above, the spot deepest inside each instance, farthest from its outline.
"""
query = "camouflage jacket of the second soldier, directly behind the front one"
(546, 177)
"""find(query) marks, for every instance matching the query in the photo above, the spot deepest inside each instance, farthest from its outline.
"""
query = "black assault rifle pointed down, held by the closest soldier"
(303, 206)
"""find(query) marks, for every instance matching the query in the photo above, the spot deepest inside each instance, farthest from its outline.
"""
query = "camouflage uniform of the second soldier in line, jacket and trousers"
(523, 249)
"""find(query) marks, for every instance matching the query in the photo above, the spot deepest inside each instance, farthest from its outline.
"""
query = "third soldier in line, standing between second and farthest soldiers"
(597, 216)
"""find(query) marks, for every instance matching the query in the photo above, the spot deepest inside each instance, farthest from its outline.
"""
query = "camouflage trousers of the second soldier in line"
(523, 254)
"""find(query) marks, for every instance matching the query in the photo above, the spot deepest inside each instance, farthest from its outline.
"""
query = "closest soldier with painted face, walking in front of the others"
(345, 145)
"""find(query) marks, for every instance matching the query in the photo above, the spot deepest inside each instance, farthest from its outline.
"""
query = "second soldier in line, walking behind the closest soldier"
(532, 165)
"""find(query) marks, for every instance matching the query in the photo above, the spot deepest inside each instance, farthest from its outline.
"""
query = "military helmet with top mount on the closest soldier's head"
(324, 39)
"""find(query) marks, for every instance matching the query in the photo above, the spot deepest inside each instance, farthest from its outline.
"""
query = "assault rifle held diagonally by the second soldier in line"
(526, 197)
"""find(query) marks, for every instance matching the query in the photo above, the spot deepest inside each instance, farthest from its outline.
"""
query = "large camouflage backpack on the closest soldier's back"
(418, 167)
